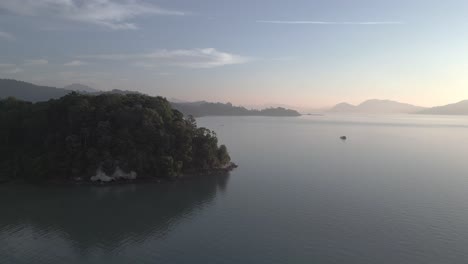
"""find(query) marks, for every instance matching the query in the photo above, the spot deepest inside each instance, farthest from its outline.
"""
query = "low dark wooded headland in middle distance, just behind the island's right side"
(219, 109)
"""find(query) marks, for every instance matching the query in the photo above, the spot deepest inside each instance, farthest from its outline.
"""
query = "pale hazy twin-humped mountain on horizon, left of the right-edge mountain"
(375, 106)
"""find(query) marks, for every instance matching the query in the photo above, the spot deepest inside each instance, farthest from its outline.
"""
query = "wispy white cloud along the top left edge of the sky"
(111, 14)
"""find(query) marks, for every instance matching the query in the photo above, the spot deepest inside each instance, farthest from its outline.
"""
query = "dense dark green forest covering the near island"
(77, 135)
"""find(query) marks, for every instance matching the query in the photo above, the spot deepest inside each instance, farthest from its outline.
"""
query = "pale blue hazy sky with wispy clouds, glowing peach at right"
(251, 52)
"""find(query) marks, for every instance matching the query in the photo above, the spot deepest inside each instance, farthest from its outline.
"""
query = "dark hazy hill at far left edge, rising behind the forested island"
(28, 91)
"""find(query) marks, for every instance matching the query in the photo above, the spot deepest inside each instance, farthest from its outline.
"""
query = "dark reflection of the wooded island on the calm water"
(105, 216)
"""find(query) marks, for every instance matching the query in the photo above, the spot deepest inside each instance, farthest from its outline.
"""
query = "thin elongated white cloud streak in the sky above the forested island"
(189, 58)
